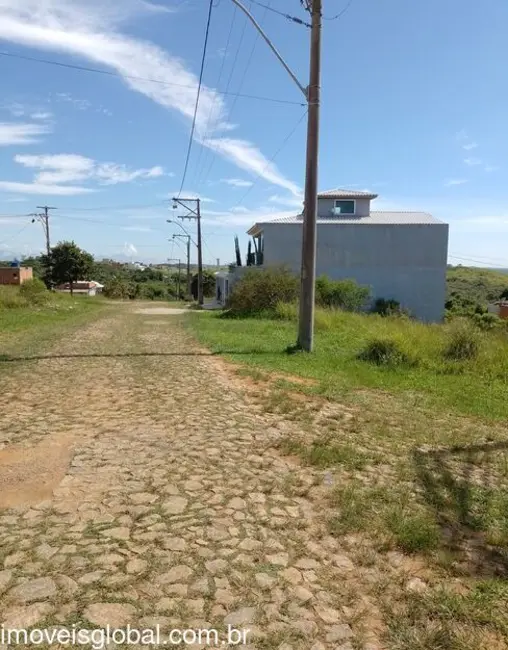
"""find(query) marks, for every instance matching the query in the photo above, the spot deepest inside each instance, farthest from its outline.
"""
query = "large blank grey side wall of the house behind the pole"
(403, 262)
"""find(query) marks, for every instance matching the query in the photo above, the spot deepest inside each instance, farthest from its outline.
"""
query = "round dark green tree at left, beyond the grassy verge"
(67, 263)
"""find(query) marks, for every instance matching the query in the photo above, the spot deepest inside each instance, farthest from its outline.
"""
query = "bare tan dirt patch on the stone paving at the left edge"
(28, 475)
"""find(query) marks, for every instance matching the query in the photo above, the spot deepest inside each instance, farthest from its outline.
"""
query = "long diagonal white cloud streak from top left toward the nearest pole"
(92, 29)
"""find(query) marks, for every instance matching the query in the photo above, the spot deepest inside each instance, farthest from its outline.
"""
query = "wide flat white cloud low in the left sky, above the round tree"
(66, 168)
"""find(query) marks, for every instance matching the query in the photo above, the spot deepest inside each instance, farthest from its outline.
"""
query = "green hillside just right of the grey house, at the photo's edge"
(475, 285)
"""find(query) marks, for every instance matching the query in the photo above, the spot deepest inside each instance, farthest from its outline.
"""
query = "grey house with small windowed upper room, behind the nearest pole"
(399, 255)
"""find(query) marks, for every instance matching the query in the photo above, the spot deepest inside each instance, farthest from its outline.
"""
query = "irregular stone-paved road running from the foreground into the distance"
(137, 486)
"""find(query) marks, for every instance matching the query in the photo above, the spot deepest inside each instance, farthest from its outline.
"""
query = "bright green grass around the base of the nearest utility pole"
(475, 387)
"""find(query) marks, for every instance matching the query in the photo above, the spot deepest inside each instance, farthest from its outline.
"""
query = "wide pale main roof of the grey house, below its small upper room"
(373, 219)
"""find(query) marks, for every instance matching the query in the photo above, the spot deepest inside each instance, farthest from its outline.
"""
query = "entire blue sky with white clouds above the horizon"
(414, 105)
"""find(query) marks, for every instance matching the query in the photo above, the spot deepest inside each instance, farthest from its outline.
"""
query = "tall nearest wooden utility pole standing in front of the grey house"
(309, 235)
